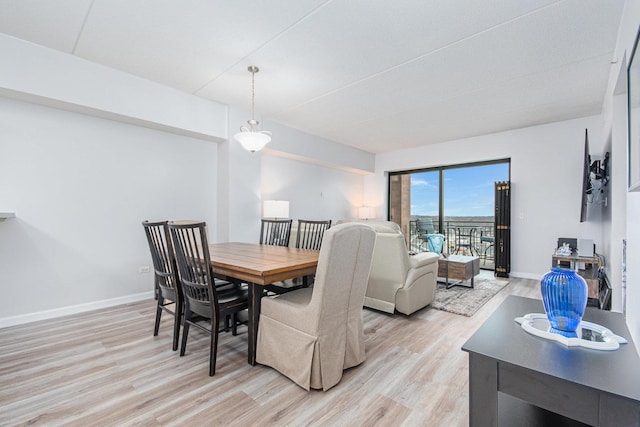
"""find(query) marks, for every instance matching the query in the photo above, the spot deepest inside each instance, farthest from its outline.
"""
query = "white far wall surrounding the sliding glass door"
(546, 182)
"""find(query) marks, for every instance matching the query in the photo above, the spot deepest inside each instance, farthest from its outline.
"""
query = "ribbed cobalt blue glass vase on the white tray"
(564, 294)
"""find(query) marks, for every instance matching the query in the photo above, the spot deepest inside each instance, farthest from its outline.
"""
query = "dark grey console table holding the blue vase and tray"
(518, 379)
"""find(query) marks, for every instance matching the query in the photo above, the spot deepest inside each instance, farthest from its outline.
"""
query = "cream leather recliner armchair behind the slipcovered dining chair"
(399, 281)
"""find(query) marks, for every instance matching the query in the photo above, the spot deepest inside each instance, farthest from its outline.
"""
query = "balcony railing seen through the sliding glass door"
(462, 237)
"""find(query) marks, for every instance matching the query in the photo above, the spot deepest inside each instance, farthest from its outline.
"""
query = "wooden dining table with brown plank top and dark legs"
(260, 265)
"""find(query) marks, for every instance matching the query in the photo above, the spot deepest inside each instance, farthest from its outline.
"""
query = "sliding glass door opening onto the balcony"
(455, 202)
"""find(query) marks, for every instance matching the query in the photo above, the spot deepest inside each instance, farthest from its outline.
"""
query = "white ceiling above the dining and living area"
(378, 75)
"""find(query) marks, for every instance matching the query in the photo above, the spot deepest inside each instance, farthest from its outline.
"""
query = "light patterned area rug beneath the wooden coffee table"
(466, 301)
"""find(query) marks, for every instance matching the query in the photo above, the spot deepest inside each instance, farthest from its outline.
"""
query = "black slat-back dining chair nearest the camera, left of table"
(205, 304)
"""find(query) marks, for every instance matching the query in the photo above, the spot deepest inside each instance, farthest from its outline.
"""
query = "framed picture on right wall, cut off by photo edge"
(633, 108)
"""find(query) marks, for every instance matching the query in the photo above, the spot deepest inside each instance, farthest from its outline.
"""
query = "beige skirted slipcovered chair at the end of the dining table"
(312, 334)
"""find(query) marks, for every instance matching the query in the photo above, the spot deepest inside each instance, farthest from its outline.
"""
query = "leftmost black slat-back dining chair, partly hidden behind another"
(167, 284)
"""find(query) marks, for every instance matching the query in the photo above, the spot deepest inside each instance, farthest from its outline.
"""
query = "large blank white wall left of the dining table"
(80, 187)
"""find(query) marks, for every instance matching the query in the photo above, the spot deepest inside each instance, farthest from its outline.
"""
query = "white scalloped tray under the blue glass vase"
(589, 335)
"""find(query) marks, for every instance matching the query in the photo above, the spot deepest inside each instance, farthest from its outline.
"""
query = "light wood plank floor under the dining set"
(107, 368)
